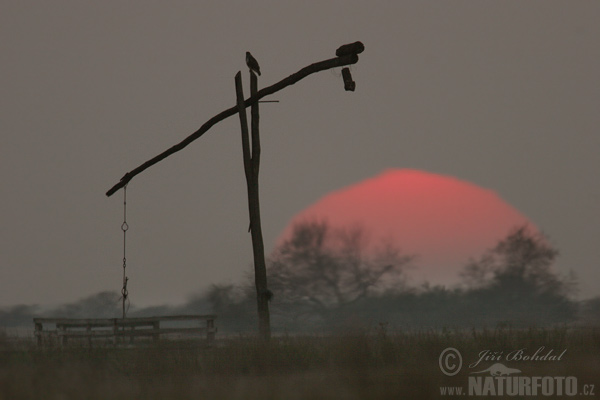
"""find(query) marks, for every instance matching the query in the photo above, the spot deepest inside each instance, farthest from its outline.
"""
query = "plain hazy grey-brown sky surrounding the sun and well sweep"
(502, 94)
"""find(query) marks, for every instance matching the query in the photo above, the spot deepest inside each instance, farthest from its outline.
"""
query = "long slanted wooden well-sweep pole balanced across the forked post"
(290, 80)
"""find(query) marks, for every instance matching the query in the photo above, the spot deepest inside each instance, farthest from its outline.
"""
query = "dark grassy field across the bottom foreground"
(355, 365)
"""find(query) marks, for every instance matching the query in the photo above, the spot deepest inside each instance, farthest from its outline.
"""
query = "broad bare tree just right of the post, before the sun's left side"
(319, 270)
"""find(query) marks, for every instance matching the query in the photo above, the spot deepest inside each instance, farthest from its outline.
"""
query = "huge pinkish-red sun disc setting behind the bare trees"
(442, 220)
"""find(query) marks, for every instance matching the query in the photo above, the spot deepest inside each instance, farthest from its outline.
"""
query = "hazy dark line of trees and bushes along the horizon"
(325, 279)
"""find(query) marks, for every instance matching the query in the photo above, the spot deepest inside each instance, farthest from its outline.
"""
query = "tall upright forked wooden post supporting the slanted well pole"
(251, 168)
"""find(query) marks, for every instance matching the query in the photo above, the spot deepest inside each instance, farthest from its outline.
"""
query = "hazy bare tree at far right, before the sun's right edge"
(515, 283)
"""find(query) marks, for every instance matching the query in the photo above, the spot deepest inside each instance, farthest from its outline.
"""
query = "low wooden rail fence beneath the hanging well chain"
(118, 329)
